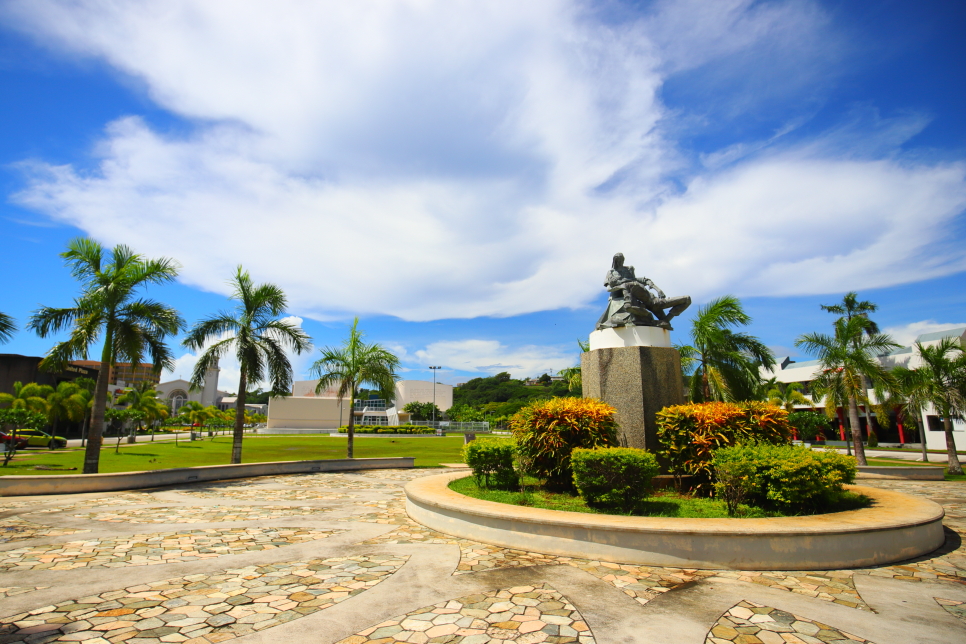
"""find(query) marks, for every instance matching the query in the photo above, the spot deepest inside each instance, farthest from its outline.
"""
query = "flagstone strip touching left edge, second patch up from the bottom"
(154, 549)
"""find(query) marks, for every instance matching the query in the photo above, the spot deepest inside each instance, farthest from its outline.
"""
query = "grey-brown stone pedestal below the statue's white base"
(638, 382)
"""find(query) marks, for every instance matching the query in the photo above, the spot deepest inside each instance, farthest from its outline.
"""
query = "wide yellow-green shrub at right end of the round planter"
(788, 478)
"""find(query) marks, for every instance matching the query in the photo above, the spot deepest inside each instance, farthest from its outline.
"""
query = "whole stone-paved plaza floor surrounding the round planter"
(328, 558)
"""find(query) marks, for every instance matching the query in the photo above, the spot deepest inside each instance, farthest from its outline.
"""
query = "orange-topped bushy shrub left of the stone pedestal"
(547, 431)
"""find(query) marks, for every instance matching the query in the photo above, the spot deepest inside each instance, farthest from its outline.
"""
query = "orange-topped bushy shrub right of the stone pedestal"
(688, 435)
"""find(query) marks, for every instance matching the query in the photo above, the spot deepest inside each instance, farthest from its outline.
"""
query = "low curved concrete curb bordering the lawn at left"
(77, 483)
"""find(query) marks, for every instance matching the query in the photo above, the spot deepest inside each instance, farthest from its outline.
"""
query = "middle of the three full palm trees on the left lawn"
(259, 340)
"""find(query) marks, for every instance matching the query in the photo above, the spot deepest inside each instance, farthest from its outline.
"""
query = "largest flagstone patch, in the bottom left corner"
(215, 607)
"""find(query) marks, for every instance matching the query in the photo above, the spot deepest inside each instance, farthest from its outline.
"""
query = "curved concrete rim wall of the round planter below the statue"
(896, 527)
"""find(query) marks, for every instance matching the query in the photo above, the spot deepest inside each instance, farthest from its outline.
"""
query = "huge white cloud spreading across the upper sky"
(433, 159)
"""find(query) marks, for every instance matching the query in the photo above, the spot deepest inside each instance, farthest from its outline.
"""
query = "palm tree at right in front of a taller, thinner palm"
(848, 358)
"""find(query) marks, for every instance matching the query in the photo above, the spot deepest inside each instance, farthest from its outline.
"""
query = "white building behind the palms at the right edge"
(787, 371)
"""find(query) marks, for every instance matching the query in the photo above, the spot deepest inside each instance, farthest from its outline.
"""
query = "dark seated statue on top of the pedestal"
(637, 301)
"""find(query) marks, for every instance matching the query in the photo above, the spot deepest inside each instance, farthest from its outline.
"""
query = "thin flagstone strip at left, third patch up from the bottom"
(207, 514)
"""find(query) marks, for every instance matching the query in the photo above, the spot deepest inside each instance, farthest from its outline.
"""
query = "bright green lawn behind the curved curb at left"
(429, 451)
